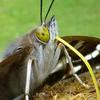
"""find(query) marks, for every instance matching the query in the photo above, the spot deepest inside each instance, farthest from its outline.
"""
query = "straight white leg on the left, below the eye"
(30, 80)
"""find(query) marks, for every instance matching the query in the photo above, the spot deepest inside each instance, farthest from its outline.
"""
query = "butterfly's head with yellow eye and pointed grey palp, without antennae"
(47, 31)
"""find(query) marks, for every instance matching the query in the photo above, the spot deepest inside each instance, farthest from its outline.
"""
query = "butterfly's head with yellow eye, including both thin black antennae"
(47, 31)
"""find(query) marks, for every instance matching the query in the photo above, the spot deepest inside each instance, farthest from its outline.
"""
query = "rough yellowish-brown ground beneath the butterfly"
(69, 89)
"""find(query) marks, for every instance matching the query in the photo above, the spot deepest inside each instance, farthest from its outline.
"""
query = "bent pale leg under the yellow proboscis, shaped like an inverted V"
(60, 66)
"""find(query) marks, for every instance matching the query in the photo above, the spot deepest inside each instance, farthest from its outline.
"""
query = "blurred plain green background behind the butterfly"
(74, 17)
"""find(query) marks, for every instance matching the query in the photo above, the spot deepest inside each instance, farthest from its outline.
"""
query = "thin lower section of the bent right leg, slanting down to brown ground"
(68, 59)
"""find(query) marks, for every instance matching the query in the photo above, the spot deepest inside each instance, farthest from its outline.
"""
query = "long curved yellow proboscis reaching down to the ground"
(86, 63)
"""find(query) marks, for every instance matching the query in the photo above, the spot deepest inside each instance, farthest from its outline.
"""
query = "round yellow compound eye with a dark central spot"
(43, 34)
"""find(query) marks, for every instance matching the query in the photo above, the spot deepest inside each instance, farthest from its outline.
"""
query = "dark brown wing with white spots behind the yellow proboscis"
(85, 45)
